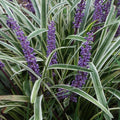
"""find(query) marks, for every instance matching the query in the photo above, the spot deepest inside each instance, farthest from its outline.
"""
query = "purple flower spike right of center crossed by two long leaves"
(81, 77)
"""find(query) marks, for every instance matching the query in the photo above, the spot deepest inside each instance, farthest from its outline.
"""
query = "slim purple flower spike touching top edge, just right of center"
(79, 15)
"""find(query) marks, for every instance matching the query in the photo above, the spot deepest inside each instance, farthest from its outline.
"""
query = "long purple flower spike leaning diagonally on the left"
(27, 50)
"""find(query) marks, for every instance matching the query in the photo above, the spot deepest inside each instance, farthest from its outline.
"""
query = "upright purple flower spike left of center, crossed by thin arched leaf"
(51, 42)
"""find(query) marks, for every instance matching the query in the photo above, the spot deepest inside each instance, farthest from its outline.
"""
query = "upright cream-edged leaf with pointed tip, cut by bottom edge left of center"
(38, 108)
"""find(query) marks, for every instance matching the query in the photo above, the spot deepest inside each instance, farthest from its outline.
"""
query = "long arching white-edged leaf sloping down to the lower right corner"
(86, 96)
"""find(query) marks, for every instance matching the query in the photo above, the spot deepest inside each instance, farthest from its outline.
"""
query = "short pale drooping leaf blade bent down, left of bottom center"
(35, 90)
